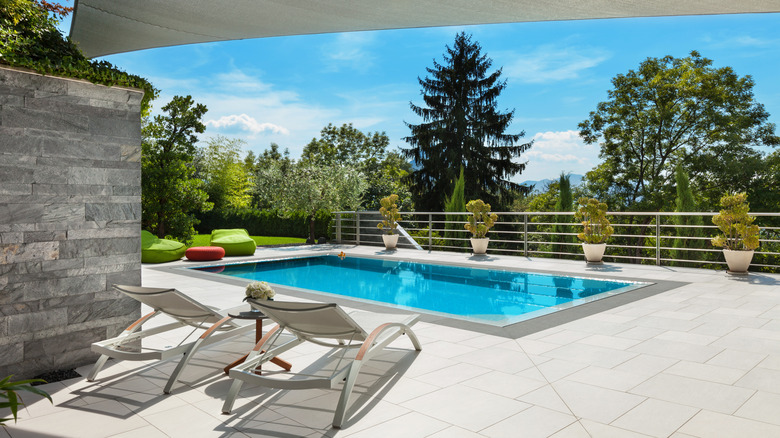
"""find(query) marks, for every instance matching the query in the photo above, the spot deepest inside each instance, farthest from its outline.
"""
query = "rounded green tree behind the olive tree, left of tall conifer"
(367, 153)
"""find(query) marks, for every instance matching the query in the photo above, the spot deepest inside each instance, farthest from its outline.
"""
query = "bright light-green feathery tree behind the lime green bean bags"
(227, 180)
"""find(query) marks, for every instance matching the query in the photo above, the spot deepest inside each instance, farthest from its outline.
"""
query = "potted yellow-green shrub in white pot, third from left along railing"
(596, 228)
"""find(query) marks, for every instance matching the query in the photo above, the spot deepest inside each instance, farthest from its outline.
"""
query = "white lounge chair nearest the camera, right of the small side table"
(323, 324)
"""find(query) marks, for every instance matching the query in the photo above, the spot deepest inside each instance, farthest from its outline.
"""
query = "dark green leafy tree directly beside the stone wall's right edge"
(170, 192)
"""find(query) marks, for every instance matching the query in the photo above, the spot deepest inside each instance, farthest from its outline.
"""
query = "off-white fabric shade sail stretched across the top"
(103, 27)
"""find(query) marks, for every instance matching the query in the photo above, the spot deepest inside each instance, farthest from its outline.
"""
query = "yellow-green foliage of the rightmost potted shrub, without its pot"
(739, 233)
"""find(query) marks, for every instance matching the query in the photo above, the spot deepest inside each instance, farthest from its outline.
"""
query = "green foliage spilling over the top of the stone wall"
(29, 38)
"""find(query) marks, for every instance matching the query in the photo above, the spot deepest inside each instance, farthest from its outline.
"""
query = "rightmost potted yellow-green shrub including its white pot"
(740, 236)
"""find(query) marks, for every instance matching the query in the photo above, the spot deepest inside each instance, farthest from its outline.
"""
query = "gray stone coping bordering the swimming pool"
(511, 331)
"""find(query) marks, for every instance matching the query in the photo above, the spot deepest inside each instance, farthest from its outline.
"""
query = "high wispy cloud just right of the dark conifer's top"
(550, 63)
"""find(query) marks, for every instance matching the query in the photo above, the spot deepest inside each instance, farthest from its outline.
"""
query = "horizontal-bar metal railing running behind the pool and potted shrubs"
(640, 237)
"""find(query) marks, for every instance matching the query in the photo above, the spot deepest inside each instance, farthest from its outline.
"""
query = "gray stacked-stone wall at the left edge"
(70, 218)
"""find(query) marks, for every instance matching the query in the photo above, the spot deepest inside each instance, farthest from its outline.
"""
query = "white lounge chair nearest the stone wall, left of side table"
(185, 311)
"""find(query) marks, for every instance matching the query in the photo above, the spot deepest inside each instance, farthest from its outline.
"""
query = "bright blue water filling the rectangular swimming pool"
(488, 296)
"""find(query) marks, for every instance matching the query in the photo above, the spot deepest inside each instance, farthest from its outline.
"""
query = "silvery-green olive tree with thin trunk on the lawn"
(309, 188)
